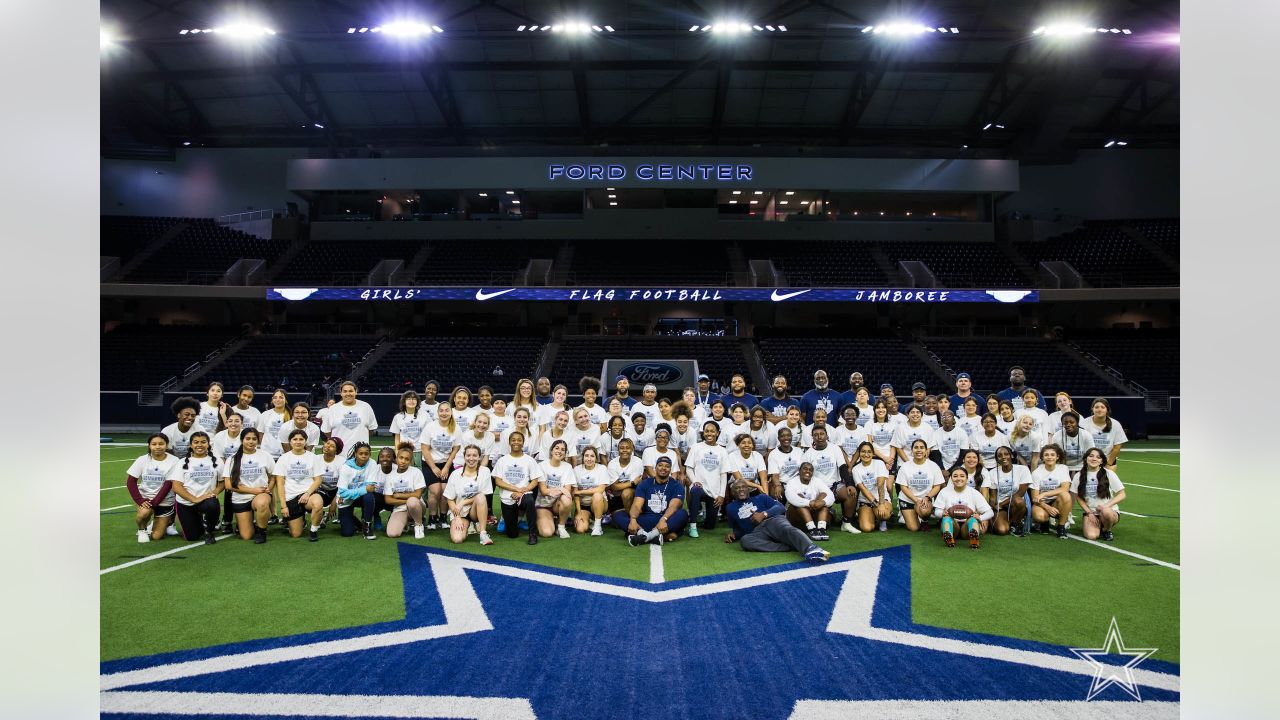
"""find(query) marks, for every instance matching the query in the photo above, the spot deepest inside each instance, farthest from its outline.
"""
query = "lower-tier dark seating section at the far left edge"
(139, 356)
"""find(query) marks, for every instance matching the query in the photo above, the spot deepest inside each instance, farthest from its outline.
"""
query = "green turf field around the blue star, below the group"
(1039, 587)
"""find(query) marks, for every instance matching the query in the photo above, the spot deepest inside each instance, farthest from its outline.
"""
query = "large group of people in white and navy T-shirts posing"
(776, 470)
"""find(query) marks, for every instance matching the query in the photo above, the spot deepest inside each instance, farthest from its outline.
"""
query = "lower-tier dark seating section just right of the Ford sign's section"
(881, 359)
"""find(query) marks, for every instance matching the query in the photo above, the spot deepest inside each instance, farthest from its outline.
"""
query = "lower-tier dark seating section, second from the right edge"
(1050, 367)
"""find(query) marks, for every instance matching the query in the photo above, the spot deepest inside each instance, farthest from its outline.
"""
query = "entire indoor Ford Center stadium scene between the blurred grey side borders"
(455, 358)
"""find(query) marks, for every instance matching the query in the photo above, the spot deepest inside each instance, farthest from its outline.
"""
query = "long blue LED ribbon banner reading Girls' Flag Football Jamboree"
(652, 294)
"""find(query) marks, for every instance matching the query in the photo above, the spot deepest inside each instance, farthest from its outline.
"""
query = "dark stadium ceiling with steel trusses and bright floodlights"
(662, 75)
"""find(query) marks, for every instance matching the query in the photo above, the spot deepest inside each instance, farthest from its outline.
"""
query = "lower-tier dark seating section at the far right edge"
(1146, 357)
